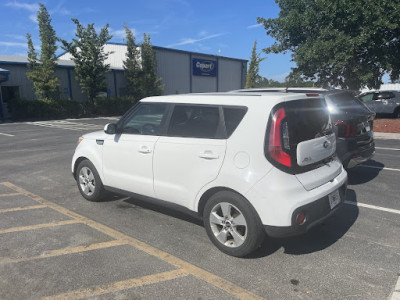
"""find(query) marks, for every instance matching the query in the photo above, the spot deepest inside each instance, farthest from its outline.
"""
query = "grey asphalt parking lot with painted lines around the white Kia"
(56, 245)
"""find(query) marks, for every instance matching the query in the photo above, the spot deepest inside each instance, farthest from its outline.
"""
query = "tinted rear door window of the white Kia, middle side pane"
(195, 121)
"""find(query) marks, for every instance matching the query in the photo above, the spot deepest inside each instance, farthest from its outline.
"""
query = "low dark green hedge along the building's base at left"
(52, 109)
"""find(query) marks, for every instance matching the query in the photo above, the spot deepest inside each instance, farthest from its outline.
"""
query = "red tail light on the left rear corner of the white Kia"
(279, 139)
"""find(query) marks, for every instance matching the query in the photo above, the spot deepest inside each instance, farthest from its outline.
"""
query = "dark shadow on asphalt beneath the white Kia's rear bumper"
(319, 237)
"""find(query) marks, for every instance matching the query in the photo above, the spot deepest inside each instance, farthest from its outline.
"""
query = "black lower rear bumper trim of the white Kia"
(315, 212)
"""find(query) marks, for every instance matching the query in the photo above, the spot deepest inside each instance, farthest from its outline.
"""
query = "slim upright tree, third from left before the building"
(132, 66)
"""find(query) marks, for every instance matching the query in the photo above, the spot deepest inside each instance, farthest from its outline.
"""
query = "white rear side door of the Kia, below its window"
(182, 166)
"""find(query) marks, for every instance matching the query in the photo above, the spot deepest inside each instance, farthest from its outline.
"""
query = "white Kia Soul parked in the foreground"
(248, 164)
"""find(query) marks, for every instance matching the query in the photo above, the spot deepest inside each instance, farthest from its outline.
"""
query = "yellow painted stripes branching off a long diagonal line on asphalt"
(182, 268)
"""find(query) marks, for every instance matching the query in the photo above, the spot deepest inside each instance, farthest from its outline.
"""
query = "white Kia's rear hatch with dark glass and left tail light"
(300, 141)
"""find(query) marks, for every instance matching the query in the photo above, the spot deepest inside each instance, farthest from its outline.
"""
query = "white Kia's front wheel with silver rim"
(87, 176)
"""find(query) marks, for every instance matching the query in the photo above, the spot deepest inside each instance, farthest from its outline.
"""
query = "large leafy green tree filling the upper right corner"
(339, 43)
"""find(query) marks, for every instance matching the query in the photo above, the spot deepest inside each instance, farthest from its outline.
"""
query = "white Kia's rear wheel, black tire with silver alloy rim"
(250, 235)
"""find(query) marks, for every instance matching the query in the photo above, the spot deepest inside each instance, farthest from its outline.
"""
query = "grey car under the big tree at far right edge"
(382, 102)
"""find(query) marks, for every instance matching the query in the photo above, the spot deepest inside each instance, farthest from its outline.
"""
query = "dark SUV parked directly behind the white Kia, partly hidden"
(353, 122)
